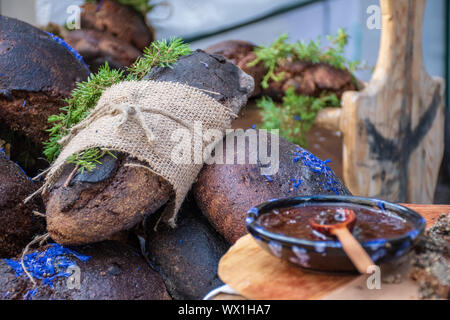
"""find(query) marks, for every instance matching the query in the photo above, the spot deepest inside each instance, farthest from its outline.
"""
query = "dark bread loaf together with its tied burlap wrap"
(95, 206)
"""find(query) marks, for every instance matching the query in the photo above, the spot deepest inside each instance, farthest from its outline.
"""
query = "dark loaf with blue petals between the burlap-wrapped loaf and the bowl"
(225, 192)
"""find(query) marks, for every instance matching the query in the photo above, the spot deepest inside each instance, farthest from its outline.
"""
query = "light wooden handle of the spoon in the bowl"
(354, 250)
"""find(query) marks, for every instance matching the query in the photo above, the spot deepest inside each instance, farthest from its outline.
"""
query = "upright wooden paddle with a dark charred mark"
(394, 129)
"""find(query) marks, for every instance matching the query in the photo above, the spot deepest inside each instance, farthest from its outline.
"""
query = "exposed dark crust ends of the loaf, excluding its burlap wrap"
(95, 206)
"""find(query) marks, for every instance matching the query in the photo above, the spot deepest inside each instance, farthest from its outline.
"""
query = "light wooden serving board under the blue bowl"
(255, 274)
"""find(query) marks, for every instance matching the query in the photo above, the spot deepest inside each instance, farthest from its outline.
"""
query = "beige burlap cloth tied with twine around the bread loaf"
(139, 118)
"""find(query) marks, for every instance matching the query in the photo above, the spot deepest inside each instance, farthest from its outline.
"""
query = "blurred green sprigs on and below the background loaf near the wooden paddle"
(296, 114)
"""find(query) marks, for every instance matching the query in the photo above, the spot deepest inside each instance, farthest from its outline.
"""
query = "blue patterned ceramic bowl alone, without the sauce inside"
(328, 256)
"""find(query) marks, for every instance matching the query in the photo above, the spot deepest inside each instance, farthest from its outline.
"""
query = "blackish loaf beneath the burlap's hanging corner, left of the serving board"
(187, 257)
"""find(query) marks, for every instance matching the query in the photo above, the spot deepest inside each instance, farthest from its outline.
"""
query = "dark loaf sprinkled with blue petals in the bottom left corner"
(114, 271)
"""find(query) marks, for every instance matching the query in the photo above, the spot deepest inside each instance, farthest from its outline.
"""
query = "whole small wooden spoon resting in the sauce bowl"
(341, 225)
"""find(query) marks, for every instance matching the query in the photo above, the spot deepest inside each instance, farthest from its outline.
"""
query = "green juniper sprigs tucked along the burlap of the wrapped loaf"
(87, 93)
